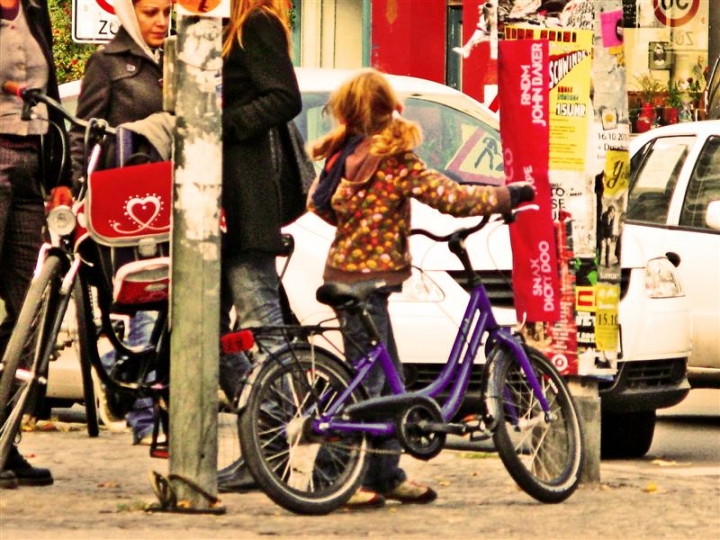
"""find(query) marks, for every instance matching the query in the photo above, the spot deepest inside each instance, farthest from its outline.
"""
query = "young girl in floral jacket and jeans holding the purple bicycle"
(370, 176)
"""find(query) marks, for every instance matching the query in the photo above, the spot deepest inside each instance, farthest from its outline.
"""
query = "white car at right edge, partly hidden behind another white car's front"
(674, 209)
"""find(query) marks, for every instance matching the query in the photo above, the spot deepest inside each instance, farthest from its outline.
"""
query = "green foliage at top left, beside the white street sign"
(70, 57)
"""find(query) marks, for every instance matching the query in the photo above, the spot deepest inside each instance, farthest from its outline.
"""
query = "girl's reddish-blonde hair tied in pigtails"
(367, 105)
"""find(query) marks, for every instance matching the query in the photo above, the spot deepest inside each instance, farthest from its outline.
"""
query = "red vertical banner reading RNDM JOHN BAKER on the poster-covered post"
(523, 77)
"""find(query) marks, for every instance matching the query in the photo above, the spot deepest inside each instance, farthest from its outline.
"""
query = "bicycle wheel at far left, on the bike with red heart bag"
(25, 362)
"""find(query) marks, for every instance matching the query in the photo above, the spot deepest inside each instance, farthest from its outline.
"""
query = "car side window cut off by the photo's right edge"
(704, 186)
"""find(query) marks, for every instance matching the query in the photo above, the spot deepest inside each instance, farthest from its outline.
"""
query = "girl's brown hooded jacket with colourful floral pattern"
(371, 213)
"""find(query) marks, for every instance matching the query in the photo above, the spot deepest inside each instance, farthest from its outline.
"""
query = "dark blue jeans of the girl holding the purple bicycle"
(384, 473)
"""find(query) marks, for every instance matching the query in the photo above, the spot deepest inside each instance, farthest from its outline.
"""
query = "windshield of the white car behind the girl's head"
(454, 142)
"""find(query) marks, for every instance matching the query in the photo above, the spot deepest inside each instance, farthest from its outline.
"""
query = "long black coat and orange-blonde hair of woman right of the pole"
(260, 92)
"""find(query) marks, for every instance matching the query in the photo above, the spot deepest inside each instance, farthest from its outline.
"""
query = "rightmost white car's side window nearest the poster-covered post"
(655, 169)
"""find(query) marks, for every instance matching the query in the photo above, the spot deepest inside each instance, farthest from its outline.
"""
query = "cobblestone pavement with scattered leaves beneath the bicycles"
(101, 489)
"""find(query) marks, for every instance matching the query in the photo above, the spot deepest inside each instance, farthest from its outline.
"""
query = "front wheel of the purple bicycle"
(544, 458)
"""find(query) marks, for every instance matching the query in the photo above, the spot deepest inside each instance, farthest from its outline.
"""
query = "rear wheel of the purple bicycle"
(301, 472)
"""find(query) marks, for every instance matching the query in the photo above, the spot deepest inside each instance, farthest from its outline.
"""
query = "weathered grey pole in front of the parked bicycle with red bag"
(195, 283)
